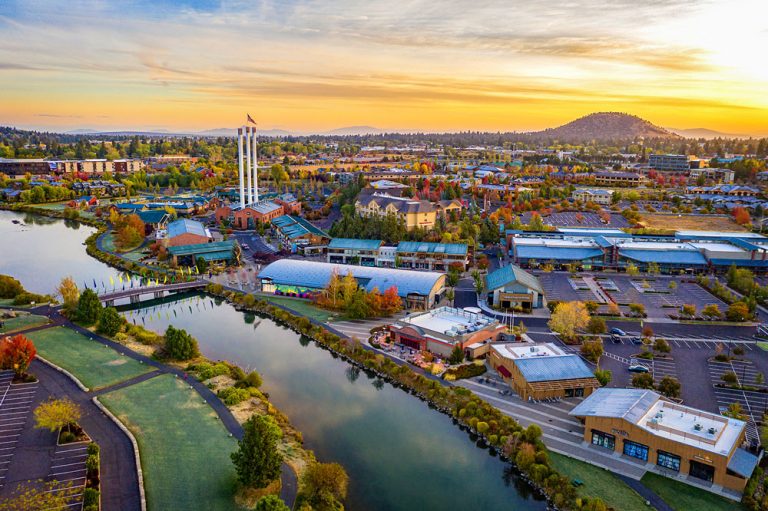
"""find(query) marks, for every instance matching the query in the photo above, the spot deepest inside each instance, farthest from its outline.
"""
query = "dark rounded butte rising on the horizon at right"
(606, 126)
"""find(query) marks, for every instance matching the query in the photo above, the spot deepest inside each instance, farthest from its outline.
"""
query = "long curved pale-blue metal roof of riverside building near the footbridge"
(316, 275)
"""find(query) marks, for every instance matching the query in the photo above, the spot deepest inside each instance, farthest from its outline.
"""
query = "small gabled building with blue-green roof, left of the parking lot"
(512, 287)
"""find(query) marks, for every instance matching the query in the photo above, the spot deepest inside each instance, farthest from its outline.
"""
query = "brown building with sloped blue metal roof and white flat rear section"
(542, 371)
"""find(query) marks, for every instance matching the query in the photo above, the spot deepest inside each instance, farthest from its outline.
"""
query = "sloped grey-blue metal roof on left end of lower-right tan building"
(629, 404)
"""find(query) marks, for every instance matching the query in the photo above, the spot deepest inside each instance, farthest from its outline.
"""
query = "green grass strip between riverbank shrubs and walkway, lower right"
(599, 483)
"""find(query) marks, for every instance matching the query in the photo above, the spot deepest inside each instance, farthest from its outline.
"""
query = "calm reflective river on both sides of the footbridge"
(399, 453)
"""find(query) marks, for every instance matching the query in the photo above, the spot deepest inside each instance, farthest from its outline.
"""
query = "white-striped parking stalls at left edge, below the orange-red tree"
(15, 406)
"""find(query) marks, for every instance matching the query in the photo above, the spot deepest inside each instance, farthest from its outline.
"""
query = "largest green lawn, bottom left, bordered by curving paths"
(184, 449)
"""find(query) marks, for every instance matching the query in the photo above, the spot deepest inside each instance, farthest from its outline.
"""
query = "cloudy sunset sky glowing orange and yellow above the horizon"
(447, 65)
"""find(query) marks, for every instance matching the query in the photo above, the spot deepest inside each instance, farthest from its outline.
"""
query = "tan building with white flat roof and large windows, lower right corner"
(677, 441)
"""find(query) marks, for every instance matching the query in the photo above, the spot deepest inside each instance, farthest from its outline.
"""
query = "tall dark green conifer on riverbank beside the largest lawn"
(257, 460)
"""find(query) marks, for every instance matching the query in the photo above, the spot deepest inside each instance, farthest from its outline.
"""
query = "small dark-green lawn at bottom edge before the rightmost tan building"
(682, 497)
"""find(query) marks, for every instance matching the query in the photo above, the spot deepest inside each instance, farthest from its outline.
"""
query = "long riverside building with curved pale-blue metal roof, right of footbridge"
(418, 290)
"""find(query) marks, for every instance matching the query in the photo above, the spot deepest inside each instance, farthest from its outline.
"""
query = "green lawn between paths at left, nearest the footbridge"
(95, 365)
